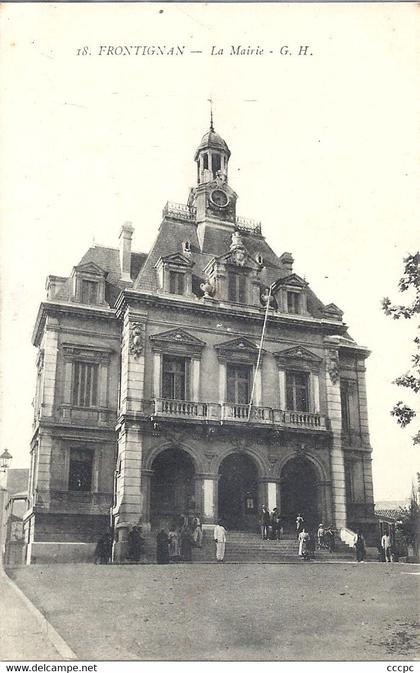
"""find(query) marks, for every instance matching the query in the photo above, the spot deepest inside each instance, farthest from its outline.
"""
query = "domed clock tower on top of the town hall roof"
(213, 198)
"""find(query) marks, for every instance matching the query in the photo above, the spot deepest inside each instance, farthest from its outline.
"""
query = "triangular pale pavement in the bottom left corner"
(25, 634)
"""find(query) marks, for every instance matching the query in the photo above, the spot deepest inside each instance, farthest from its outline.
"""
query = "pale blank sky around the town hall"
(324, 153)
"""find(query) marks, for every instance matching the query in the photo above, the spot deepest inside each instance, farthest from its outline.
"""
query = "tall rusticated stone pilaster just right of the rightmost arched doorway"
(332, 378)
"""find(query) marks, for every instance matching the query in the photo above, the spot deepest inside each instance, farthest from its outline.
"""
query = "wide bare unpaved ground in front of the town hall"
(275, 612)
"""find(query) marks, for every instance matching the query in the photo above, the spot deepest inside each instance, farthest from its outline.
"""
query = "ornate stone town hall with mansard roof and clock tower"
(204, 376)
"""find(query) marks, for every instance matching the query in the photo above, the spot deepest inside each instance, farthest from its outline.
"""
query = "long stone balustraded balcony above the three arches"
(238, 414)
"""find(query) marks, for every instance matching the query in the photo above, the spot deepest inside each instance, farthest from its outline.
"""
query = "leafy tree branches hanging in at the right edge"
(410, 282)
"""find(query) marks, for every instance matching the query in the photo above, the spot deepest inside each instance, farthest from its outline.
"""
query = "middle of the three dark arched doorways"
(238, 492)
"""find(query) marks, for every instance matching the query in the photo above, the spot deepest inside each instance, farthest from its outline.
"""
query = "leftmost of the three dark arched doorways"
(172, 487)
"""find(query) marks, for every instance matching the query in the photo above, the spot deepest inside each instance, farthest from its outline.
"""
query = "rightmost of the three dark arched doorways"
(299, 493)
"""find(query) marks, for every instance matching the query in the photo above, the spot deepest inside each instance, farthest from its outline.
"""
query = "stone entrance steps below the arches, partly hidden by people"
(248, 547)
